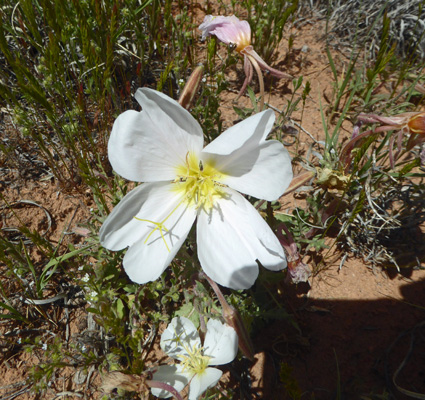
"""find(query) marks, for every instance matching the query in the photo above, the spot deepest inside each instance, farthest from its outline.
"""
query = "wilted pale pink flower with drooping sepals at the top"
(234, 32)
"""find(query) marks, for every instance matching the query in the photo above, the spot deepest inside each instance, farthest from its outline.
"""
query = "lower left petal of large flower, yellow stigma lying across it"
(150, 252)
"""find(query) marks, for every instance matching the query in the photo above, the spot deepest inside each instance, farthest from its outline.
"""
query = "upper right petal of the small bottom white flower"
(221, 343)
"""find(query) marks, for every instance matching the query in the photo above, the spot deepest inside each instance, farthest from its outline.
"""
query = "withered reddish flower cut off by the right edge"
(410, 123)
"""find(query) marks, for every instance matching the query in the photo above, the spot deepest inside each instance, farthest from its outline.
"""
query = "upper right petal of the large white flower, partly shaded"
(248, 162)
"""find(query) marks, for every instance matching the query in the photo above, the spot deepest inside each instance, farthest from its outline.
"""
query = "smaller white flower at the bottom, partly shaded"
(181, 341)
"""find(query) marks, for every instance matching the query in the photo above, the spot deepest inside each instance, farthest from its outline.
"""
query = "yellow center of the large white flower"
(197, 180)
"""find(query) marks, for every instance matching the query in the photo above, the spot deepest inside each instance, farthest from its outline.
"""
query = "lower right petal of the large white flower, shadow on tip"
(230, 240)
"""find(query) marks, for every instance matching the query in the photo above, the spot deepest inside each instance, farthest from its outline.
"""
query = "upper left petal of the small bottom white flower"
(180, 337)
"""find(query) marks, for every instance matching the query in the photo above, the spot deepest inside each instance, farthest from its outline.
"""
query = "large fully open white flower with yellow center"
(163, 146)
